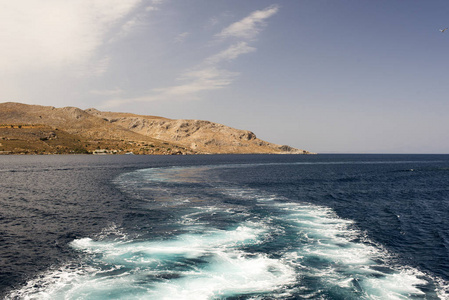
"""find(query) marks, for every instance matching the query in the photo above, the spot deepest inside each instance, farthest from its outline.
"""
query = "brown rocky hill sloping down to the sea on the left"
(47, 129)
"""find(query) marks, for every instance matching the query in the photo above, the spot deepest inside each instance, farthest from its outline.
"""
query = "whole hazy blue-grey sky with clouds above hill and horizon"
(328, 76)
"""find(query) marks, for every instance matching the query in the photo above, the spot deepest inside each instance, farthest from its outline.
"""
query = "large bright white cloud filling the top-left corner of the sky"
(54, 33)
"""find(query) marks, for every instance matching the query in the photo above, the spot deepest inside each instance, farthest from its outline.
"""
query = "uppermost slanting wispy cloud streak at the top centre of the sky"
(250, 26)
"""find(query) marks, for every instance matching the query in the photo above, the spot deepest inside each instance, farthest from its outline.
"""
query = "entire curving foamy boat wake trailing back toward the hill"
(271, 247)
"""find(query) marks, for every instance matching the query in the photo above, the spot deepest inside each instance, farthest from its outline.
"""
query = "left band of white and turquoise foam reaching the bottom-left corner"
(191, 266)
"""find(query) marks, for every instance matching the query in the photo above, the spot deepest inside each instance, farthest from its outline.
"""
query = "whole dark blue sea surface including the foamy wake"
(224, 227)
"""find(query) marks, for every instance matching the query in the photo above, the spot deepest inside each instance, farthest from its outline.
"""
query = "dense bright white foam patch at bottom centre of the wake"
(228, 274)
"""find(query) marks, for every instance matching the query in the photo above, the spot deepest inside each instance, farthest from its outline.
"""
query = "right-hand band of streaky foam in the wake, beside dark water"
(331, 255)
